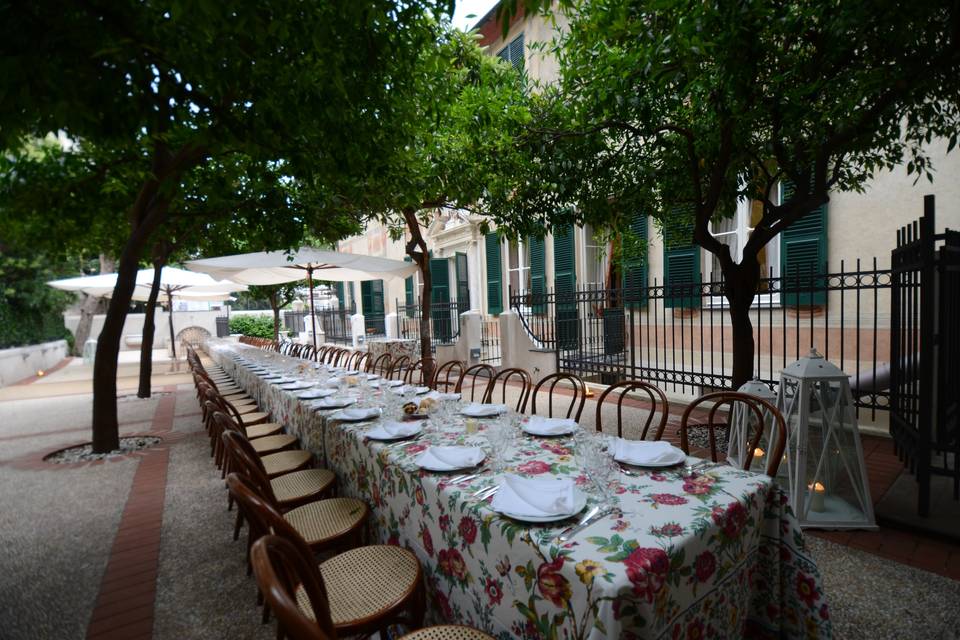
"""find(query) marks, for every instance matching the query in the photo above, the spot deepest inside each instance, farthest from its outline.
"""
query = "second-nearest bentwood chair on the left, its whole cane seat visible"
(367, 588)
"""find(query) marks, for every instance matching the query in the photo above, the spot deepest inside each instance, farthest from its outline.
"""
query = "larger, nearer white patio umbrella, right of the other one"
(277, 267)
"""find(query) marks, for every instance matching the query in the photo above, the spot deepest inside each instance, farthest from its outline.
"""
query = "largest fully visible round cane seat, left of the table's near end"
(365, 583)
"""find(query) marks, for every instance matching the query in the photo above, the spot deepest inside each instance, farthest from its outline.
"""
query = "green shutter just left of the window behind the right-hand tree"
(681, 262)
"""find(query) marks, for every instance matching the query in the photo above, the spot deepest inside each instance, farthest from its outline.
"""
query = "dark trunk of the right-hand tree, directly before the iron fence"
(741, 281)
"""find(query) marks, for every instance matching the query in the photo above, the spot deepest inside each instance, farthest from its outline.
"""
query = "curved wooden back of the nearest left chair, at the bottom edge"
(281, 568)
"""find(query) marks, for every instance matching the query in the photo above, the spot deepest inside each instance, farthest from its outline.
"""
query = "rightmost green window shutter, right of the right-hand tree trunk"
(803, 257)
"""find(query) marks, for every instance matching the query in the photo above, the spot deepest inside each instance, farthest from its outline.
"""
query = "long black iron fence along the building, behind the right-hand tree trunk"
(680, 336)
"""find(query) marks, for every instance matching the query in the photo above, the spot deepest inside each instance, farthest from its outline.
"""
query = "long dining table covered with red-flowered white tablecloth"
(689, 554)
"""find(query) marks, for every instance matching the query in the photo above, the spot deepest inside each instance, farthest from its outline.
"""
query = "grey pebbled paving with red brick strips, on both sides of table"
(141, 547)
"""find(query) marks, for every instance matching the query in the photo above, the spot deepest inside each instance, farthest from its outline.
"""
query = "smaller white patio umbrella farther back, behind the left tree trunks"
(175, 283)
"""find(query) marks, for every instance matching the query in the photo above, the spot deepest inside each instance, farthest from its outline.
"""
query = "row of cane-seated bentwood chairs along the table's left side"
(293, 514)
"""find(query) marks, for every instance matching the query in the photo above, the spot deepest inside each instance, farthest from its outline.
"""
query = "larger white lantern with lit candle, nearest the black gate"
(827, 477)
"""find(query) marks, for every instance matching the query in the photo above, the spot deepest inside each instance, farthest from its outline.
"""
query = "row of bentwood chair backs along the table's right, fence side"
(483, 383)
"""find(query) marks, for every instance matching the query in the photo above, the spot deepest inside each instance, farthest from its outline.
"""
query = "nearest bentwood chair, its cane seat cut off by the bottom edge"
(294, 587)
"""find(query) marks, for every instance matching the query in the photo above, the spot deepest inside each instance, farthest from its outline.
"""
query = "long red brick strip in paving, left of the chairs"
(125, 604)
